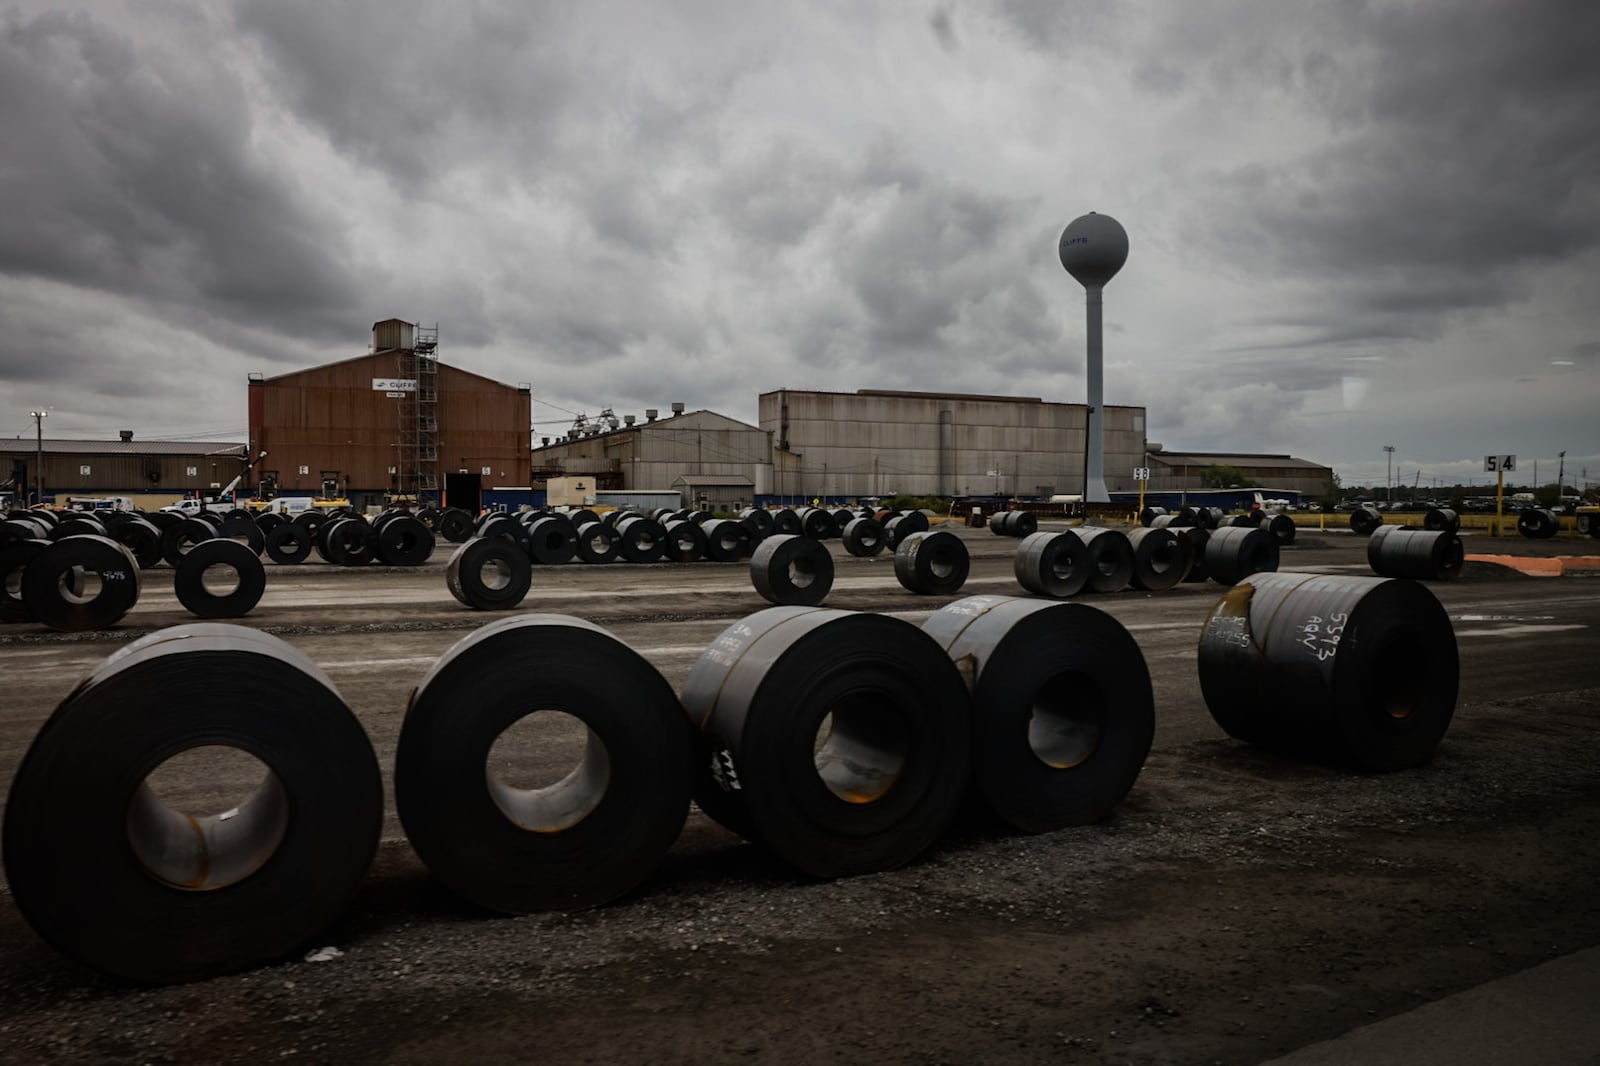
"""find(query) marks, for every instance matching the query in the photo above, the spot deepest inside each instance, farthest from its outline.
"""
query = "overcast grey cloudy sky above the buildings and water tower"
(1353, 225)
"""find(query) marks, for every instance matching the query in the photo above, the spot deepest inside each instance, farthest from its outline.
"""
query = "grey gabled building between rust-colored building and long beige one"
(710, 459)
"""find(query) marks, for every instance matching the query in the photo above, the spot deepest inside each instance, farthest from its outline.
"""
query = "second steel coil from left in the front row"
(586, 836)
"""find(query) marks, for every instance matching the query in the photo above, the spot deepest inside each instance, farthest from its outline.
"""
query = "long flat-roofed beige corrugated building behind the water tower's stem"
(878, 443)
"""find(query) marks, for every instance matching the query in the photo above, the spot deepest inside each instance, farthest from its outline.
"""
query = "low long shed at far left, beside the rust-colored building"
(153, 473)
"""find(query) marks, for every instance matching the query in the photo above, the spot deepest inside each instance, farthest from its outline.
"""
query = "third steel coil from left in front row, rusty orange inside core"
(838, 740)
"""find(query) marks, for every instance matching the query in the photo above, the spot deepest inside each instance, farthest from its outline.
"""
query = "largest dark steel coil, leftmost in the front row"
(114, 878)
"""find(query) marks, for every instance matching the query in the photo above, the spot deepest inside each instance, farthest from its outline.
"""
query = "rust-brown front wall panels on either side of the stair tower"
(337, 419)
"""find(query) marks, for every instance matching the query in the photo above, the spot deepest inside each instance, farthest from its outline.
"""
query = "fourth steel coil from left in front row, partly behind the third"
(1063, 707)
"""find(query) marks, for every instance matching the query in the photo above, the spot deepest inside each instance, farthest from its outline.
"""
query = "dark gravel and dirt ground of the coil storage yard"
(1238, 907)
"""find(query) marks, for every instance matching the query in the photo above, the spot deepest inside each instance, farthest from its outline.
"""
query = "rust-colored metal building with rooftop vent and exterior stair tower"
(394, 422)
